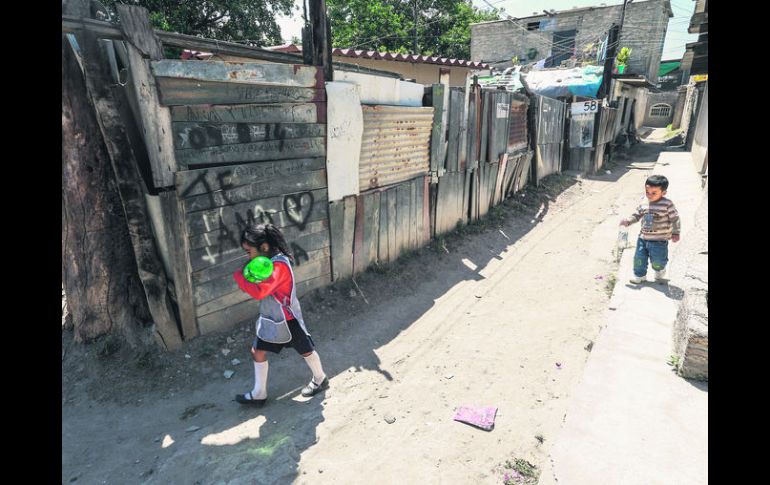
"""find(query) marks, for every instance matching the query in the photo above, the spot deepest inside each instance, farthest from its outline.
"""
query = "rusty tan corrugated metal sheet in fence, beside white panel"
(395, 144)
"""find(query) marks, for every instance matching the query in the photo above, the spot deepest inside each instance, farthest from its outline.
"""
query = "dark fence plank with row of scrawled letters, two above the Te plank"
(203, 135)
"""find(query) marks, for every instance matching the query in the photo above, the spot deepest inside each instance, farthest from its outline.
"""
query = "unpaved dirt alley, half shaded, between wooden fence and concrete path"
(508, 307)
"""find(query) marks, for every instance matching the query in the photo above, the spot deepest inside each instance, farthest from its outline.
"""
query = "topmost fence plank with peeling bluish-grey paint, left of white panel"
(238, 72)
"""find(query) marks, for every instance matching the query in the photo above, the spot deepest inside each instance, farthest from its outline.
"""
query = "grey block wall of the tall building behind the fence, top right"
(644, 31)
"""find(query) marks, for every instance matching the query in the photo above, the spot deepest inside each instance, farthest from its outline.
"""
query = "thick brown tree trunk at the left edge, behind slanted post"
(99, 272)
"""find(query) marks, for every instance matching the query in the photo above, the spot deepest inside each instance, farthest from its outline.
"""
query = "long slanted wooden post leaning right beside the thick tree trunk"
(130, 185)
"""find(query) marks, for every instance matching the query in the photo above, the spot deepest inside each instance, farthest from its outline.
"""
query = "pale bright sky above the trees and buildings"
(673, 48)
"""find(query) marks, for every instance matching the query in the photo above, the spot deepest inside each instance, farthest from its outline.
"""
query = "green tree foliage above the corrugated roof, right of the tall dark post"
(443, 26)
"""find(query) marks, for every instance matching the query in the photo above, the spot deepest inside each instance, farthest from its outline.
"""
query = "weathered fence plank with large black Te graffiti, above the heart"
(205, 180)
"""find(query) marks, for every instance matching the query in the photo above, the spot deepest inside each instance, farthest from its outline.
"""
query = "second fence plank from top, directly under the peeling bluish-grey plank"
(187, 92)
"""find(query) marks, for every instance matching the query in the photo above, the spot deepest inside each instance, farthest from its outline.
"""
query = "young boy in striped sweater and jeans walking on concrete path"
(660, 222)
